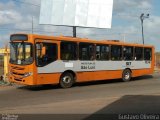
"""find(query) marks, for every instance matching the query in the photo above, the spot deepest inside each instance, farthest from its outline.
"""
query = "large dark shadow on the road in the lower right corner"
(129, 105)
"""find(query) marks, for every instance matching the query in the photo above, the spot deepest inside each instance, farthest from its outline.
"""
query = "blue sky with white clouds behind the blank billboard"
(16, 17)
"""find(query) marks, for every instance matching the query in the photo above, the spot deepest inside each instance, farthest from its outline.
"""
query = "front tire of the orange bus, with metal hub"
(66, 80)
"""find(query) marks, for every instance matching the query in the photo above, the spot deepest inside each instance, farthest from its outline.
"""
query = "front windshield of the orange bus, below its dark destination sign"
(21, 53)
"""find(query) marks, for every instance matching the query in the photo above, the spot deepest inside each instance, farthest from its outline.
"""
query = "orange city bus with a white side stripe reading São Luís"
(39, 60)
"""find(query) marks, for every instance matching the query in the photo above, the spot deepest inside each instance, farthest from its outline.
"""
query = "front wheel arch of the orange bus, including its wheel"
(67, 79)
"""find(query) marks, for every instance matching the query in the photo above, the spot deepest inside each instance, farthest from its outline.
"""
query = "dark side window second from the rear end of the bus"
(138, 53)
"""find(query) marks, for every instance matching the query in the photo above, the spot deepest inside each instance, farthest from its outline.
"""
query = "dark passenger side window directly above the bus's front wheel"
(68, 51)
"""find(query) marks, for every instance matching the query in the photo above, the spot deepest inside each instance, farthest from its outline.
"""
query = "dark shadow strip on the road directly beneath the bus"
(98, 82)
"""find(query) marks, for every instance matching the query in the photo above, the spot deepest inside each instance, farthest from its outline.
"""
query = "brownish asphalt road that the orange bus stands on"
(139, 96)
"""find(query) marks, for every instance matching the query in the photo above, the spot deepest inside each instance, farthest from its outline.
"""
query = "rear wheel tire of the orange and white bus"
(126, 75)
